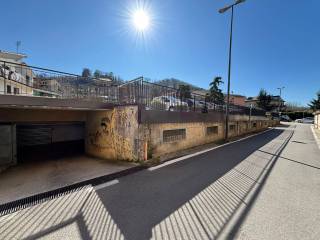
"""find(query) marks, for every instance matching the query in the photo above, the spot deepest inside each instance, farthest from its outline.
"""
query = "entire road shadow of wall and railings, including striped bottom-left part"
(192, 199)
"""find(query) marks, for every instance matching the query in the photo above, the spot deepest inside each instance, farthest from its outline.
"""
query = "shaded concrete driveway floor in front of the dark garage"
(29, 179)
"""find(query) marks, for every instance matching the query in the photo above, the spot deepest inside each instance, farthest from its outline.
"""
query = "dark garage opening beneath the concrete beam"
(49, 141)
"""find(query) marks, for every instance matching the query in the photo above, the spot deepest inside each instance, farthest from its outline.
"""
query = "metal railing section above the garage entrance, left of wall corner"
(20, 79)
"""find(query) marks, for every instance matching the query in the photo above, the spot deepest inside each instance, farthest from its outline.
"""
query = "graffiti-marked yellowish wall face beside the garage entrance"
(111, 134)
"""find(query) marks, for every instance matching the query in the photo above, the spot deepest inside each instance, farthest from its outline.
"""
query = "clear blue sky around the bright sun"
(275, 43)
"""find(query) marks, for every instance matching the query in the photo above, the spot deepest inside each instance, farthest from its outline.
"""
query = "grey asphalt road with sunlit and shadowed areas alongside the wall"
(263, 187)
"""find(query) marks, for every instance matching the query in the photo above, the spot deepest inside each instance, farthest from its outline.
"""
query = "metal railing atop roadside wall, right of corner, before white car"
(158, 97)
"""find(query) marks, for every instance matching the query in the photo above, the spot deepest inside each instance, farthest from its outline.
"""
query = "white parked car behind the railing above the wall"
(168, 103)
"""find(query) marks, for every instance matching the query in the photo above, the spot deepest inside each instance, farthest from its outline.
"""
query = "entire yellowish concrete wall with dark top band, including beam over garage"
(130, 133)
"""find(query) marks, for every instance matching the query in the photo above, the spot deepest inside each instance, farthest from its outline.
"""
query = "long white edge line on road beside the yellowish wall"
(203, 151)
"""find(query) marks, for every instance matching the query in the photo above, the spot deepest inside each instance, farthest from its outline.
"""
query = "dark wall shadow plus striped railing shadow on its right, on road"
(196, 198)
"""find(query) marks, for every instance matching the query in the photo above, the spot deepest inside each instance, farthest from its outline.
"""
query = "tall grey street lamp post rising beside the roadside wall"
(223, 10)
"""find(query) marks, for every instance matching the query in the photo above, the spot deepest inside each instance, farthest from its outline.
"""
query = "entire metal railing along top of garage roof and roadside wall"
(20, 79)
